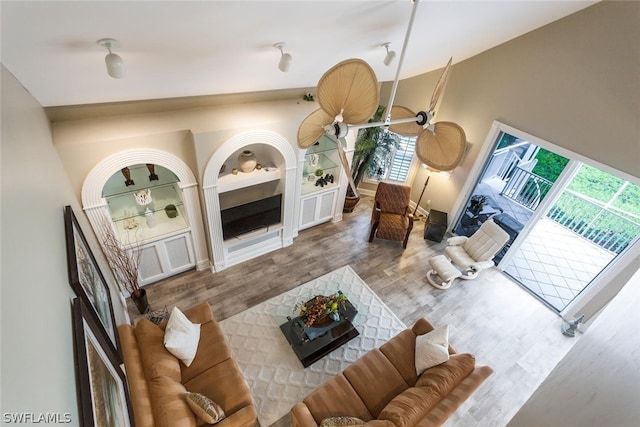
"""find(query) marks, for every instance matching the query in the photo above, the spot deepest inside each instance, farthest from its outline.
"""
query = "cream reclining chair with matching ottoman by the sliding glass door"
(465, 257)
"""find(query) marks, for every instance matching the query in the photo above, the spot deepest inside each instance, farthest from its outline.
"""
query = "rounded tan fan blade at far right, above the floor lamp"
(443, 148)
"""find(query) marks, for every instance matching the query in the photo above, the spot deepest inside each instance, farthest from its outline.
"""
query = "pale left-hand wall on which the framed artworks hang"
(38, 374)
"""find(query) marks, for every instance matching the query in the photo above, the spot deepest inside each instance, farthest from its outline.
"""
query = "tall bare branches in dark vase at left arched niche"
(125, 263)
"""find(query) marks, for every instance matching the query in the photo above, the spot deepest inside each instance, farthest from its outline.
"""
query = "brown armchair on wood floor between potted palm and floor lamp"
(390, 218)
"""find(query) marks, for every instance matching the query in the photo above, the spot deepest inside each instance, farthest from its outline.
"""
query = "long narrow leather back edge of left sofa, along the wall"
(138, 387)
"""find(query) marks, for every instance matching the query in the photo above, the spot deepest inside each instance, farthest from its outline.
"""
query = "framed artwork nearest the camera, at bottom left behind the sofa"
(102, 387)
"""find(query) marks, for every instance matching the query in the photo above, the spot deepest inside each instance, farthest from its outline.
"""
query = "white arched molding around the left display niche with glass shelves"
(95, 206)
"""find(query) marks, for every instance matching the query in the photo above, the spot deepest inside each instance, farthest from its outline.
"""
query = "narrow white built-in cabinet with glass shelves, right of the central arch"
(321, 175)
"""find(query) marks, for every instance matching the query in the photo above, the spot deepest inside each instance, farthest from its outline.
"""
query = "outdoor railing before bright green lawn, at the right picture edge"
(609, 228)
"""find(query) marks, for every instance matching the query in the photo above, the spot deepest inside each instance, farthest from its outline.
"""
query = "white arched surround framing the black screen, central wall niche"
(276, 153)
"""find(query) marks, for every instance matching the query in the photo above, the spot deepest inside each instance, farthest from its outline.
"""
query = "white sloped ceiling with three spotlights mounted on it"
(184, 48)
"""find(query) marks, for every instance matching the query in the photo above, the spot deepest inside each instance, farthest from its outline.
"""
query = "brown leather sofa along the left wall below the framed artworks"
(158, 380)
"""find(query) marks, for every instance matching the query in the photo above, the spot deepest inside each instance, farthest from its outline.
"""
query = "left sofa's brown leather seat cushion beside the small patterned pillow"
(224, 384)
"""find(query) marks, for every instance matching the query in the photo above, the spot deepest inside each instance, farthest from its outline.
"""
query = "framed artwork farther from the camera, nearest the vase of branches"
(87, 280)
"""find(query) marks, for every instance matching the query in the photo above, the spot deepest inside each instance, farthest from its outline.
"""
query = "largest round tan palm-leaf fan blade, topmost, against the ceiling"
(351, 88)
